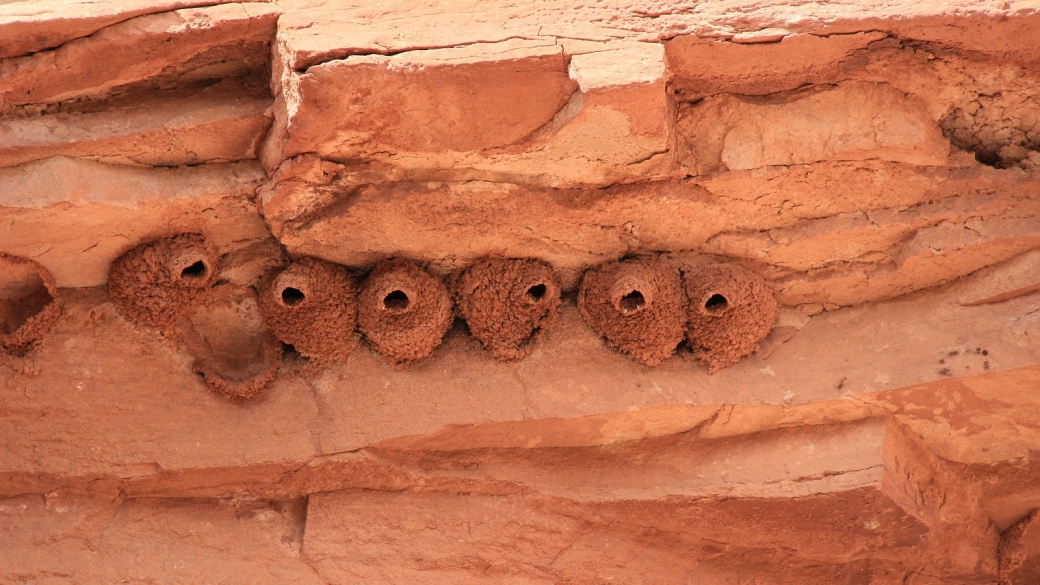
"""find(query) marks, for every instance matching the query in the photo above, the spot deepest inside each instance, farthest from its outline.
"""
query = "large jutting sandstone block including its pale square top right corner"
(512, 111)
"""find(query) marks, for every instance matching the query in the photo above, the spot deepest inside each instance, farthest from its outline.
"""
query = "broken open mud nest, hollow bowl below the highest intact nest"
(232, 347)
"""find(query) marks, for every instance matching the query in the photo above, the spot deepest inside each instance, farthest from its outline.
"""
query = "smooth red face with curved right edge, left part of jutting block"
(453, 99)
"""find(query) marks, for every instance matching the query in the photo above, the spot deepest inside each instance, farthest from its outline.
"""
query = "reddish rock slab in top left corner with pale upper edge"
(193, 44)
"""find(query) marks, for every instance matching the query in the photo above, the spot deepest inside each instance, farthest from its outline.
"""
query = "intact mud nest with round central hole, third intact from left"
(404, 312)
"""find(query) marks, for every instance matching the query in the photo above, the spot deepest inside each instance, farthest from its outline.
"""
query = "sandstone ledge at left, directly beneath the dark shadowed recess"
(213, 126)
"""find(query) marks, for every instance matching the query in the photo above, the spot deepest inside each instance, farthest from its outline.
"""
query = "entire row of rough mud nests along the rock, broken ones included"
(237, 335)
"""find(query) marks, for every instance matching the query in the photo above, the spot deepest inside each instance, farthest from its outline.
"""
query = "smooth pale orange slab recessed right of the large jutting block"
(851, 121)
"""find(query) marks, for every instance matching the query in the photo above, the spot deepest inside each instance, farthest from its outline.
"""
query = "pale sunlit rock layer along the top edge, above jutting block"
(315, 33)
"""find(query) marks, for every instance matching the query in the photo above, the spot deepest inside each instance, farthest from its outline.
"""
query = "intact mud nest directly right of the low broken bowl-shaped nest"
(313, 306)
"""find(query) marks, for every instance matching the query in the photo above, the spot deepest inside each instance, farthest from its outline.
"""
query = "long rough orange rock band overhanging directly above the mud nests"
(818, 249)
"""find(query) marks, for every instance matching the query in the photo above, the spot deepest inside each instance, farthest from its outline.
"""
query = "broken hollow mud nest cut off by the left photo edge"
(29, 303)
